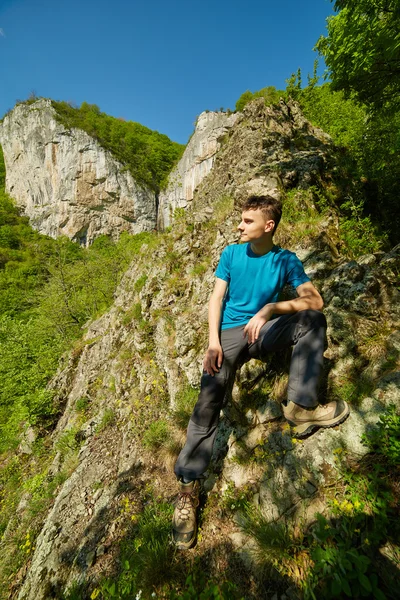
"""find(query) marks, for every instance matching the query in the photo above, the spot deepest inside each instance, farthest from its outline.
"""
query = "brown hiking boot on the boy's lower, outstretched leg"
(184, 522)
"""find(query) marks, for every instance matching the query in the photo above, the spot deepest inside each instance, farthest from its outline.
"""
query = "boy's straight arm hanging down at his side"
(213, 357)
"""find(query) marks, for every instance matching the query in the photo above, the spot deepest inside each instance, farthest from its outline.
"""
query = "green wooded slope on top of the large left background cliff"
(148, 155)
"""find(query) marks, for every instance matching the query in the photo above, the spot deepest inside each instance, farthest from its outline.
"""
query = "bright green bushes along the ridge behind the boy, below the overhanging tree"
(371, 164)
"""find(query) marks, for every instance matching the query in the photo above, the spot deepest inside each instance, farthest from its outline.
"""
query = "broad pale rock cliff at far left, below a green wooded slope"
(66, 183)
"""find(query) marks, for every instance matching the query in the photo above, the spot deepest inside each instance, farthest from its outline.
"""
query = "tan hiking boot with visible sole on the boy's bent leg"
(304, 420)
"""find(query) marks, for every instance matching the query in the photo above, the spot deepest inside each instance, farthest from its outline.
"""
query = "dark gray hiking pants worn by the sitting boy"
(305, 330)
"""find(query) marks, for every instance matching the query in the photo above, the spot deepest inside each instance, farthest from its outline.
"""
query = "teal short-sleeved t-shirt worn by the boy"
(255, 280)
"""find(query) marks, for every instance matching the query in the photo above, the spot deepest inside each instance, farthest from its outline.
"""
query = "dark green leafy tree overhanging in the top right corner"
(362, 50)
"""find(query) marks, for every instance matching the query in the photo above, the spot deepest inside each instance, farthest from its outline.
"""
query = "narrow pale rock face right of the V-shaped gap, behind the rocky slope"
(195, 164)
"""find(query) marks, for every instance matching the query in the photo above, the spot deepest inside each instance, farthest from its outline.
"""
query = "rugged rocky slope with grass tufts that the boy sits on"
(137, 361)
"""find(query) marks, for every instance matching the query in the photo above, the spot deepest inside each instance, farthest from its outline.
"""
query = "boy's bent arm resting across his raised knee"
(308, 298)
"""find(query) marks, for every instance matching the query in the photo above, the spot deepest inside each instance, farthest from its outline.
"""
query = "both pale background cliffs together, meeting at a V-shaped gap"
(67, 184)
